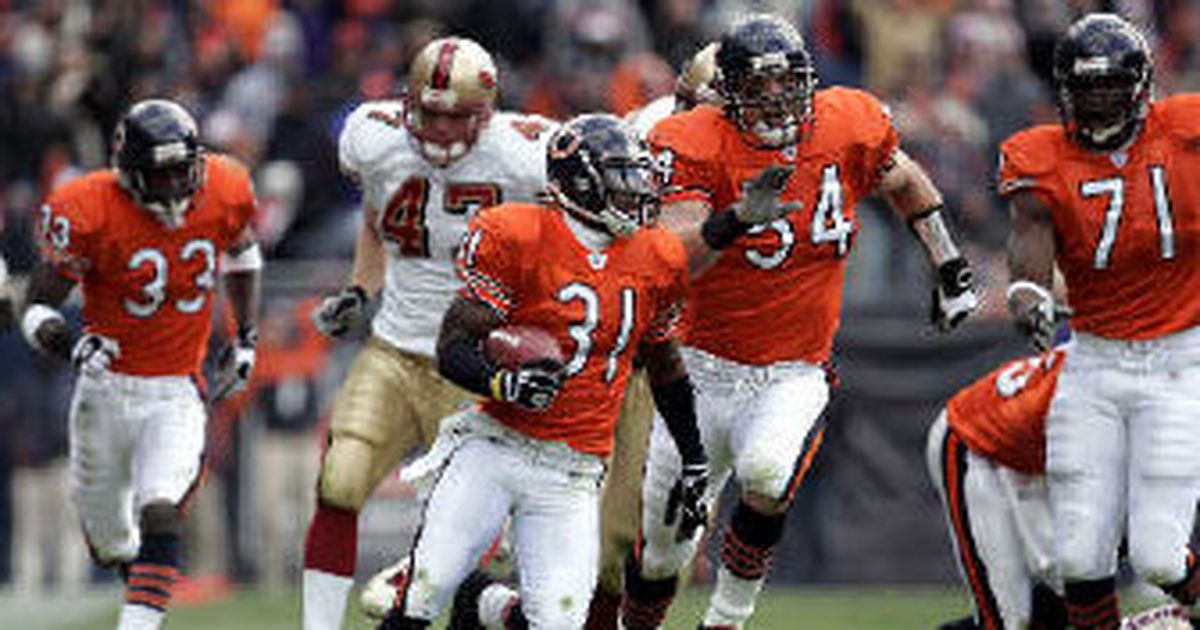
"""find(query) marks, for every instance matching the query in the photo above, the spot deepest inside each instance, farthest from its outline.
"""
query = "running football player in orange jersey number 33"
(146, 241)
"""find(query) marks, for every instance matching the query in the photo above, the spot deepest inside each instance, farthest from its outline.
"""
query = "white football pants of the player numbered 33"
(135, 441)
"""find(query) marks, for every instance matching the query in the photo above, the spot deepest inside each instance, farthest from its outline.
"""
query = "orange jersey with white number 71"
(1127, 225)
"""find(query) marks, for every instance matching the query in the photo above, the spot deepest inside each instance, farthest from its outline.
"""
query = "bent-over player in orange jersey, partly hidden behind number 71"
(986, 455)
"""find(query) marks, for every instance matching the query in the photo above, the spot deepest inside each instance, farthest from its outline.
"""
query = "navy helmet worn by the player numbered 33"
(157, 154)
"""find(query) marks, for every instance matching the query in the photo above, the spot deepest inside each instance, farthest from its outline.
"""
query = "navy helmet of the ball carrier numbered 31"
(603, 173)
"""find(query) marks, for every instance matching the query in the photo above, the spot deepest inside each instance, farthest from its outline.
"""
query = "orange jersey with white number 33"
(145, 285)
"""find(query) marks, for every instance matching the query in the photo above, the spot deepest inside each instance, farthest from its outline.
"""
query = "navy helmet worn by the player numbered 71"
(1103, 74)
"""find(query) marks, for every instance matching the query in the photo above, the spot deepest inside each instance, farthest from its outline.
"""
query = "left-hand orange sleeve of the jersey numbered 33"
(65, 235)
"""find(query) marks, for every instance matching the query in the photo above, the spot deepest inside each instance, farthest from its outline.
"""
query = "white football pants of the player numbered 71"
(1124, 454)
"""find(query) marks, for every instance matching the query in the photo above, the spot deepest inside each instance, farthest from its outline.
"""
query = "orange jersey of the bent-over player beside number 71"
(1003, 416)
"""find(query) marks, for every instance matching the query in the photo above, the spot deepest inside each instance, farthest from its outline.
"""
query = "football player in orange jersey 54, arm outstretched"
(764, 310)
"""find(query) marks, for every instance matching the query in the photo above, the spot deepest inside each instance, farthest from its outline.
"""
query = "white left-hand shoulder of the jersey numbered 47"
(370, 135)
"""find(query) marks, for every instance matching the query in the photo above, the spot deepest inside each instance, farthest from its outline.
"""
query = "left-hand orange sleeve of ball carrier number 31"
(488, 265)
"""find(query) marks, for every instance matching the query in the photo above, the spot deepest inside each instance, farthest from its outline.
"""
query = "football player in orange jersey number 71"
(1111, 195)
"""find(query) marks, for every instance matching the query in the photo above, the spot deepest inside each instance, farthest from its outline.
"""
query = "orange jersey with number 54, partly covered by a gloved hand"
(776, 295)
